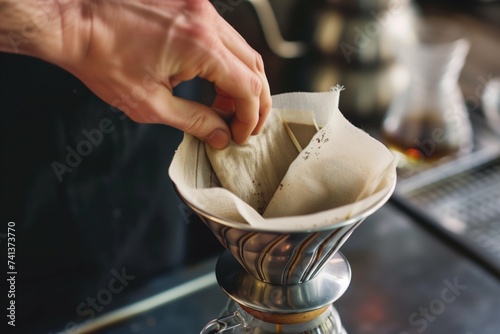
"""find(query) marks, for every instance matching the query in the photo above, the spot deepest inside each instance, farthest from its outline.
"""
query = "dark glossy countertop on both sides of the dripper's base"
(405, 280)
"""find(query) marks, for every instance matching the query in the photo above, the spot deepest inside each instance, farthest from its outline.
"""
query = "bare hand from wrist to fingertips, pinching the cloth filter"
(132, 53)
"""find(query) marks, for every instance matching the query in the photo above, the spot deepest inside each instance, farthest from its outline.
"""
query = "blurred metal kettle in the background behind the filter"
(341, 41)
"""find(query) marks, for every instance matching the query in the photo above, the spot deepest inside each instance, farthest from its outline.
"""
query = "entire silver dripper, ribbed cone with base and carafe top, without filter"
(282, 281)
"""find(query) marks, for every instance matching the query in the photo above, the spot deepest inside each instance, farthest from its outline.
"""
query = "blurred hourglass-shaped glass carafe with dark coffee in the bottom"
(429, 120)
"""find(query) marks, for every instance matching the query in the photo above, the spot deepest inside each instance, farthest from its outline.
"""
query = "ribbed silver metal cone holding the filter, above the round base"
(283, 257)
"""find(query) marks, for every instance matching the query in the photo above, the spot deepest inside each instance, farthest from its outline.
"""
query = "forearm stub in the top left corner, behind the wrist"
(33, 27)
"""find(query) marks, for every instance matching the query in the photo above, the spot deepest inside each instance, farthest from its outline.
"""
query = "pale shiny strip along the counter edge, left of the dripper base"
(148, 304)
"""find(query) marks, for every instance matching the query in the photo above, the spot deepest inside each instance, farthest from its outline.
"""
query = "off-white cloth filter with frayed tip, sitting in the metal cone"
(266, 183)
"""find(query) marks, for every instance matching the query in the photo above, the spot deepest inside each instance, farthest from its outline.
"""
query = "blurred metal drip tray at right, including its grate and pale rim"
(461, 197)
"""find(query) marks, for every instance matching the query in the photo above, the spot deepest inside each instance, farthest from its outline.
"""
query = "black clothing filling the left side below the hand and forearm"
(88, 190)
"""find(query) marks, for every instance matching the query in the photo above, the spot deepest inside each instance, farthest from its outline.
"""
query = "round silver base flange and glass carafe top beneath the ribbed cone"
(305, 307)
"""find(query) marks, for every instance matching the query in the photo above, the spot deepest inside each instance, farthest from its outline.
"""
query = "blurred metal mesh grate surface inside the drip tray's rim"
(467, 207)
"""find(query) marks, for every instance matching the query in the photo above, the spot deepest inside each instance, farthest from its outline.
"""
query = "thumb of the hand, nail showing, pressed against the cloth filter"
(199, 121)
